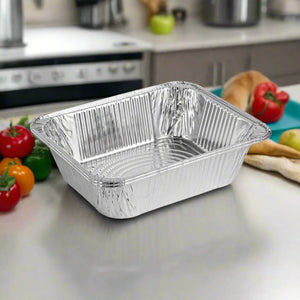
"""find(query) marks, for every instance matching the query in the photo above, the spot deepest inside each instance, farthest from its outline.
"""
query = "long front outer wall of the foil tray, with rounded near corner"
(171, 186)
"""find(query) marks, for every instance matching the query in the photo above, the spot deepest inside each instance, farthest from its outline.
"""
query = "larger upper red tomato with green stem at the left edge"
(16, 141)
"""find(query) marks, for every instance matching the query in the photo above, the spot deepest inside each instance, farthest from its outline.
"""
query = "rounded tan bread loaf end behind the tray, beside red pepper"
(239, 89)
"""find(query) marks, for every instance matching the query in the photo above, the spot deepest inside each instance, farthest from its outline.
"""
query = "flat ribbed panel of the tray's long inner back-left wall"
(115, 126)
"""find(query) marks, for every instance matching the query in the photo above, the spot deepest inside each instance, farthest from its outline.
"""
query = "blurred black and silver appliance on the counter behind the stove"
(100, 13)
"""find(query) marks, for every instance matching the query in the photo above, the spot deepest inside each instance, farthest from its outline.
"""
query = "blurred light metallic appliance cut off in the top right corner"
(283, 8)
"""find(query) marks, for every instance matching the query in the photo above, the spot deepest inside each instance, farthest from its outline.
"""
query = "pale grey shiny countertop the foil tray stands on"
(237, 242)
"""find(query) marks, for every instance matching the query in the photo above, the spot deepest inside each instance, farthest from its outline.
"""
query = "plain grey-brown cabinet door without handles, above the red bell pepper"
(279, 61)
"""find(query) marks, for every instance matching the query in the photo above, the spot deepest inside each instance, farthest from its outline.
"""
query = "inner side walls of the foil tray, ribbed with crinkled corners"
(169, 112)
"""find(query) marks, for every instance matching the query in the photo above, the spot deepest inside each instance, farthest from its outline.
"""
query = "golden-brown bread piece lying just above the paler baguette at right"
(268, 147)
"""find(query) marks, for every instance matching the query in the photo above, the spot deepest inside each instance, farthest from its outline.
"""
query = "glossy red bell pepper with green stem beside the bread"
(268, 105)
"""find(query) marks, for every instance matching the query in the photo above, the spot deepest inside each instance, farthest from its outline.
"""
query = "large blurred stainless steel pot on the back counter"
(231, 12)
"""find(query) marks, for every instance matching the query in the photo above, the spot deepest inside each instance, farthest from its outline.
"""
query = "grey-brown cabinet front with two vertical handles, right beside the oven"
(207, 67)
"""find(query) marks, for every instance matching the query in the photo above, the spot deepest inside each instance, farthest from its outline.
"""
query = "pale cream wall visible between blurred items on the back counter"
(64, 12)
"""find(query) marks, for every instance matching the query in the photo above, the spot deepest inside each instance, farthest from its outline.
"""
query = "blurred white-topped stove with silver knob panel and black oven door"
(73, 64)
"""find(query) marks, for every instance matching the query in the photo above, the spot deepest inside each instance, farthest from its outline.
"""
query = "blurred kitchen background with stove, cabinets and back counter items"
(89, 49)
